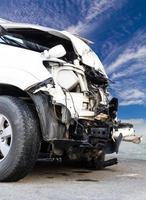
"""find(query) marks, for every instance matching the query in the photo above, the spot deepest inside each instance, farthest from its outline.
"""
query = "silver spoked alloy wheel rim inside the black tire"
(5, 137)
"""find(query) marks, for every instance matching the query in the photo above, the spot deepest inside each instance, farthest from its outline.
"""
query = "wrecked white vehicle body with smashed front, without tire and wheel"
(68, 86)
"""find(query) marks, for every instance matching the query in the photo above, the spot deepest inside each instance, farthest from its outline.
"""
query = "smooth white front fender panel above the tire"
(20, 67)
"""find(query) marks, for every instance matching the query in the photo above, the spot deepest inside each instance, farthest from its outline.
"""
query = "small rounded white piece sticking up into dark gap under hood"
(55, 52)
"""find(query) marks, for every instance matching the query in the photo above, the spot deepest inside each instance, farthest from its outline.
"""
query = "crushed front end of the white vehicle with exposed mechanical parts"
(77, 118)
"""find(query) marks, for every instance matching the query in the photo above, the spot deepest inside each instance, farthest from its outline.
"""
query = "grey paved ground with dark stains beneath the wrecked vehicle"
(127, 180)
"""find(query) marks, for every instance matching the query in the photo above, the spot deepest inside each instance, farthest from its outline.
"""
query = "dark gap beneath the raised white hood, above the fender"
(35, 40)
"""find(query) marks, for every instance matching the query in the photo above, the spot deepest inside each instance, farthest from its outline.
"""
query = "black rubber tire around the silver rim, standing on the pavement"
(25, 144)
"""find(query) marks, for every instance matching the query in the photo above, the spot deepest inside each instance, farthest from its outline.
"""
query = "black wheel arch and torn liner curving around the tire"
(50, 128)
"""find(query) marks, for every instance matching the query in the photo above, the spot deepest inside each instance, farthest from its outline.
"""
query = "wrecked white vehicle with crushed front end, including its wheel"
(53, 99)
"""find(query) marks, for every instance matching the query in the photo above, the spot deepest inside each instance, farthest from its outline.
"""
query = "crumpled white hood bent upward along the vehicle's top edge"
(87, 55)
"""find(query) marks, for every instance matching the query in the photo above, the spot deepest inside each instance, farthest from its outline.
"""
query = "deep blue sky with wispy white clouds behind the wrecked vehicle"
(118, 28)
